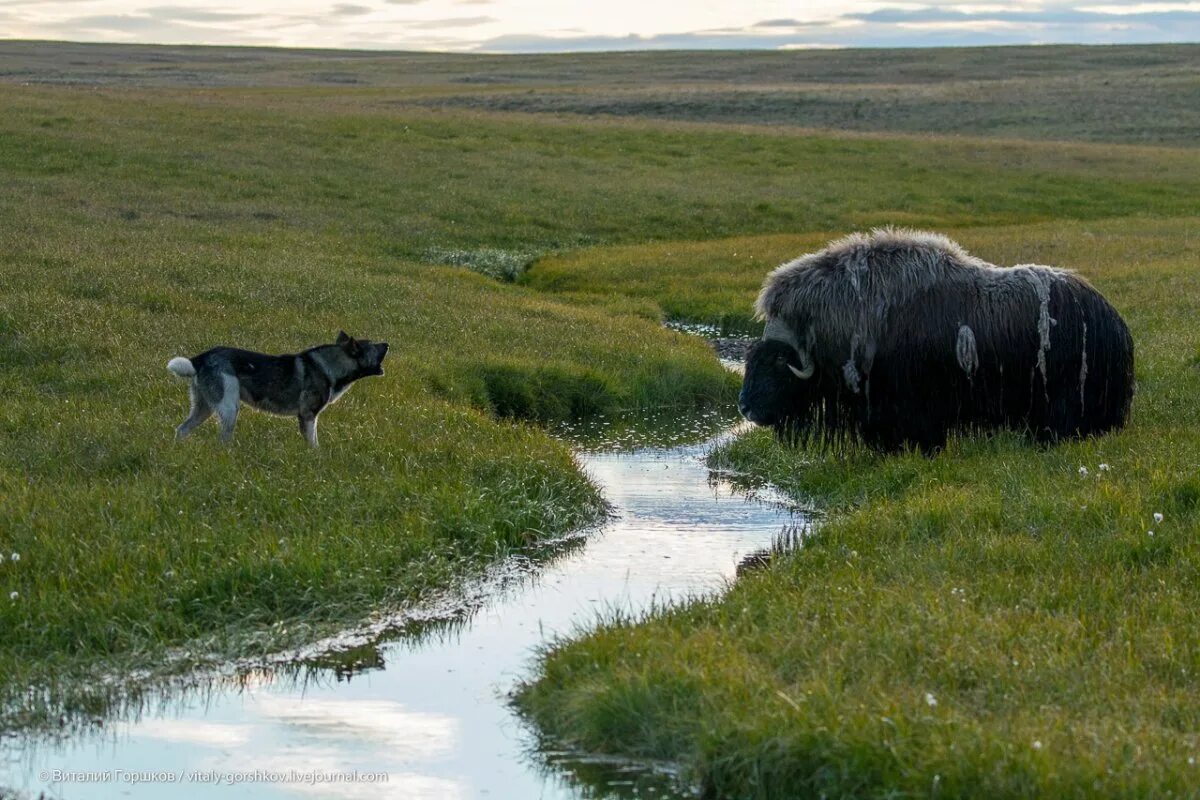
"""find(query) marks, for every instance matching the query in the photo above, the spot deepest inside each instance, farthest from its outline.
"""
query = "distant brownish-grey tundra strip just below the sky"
(1133, 94)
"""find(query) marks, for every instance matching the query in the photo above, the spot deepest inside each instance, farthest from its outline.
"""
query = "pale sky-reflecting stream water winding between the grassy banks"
(429, 708)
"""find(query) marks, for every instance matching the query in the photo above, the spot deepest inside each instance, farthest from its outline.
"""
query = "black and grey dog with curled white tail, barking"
(299, 386)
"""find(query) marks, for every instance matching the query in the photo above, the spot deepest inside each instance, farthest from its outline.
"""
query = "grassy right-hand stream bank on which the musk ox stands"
(997, 622)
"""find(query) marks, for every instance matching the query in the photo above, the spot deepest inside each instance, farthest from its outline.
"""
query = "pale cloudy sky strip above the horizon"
(541, 26)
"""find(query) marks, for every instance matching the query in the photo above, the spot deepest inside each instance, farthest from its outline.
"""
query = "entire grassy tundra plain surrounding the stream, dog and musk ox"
(991, 623)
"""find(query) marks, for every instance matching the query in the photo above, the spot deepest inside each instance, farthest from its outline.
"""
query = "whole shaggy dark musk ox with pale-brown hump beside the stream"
(899, 338)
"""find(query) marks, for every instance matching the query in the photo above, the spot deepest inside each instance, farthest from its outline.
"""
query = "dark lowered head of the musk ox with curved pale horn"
(778, 389)
